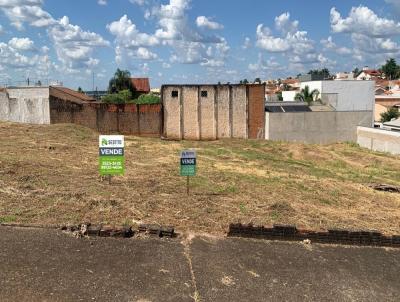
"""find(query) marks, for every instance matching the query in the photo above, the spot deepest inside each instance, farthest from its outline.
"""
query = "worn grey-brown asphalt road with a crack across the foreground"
(48, 265)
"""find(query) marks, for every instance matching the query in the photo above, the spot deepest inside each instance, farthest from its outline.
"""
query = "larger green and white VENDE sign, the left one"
(111, 155)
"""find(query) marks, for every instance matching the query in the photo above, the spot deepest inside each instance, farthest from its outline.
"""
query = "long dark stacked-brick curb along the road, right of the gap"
(291, 233)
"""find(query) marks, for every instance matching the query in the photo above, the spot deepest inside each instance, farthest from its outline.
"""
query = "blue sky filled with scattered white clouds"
(82, 42)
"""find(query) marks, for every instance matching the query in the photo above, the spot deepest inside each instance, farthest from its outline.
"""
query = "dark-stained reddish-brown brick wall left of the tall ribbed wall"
(130, 119)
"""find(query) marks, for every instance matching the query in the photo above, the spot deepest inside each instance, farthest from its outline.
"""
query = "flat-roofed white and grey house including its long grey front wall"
(345, 105)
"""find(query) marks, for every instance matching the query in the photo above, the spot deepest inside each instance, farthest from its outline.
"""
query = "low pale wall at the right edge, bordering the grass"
(379, 140)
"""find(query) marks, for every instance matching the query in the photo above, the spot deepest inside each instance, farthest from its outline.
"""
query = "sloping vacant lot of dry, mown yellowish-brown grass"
(49, 175)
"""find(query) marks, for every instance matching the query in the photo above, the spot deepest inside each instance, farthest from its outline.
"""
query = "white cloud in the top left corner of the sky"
(26, 11)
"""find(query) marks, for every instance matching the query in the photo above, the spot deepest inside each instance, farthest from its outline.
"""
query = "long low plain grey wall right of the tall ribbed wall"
(316, 127)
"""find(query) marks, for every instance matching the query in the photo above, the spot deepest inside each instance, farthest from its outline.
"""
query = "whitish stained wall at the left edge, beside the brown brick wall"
(26, 105)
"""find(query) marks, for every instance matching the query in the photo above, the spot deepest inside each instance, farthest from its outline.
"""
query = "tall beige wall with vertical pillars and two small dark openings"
(209, 112)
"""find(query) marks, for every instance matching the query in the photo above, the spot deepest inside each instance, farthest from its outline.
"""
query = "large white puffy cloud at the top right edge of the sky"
(362, 20)
